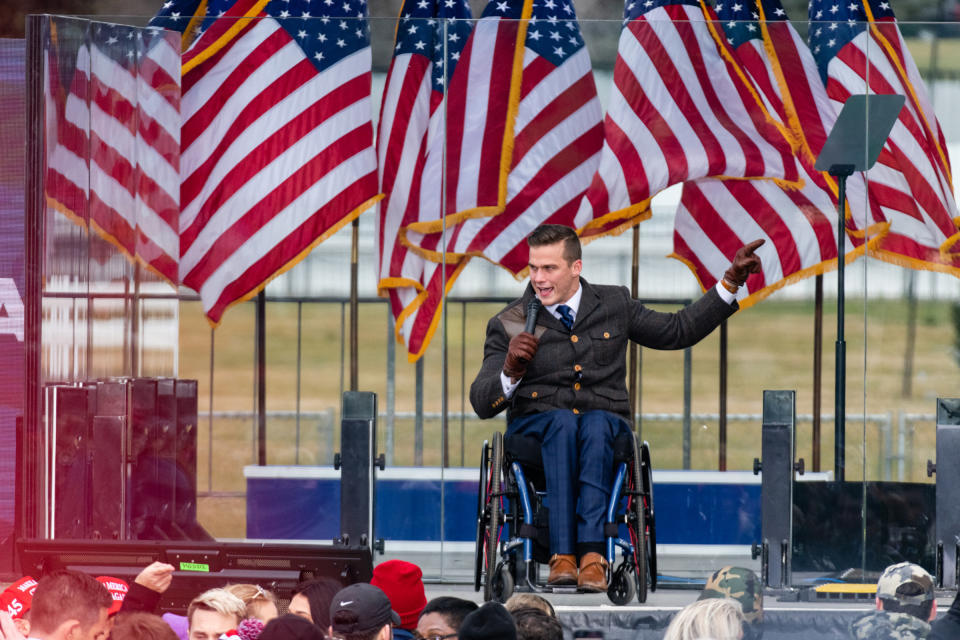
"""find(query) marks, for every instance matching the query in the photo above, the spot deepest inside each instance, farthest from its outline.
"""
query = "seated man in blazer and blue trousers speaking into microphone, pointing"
(564, 382)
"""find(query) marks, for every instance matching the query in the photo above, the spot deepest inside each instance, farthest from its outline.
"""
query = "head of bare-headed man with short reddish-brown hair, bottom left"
(69, 605)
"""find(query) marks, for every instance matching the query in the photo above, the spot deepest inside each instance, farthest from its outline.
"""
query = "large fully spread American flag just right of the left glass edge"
(277, 139)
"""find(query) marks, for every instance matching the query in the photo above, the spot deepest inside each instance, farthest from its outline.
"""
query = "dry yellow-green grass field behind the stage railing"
(770, 347)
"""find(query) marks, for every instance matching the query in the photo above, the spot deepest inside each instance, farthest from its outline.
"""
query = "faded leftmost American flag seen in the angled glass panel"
(116, 159)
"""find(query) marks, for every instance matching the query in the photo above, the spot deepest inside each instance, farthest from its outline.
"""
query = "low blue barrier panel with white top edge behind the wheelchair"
(302, 503)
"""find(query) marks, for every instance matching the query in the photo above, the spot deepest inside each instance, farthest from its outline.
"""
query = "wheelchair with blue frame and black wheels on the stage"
(512, 532)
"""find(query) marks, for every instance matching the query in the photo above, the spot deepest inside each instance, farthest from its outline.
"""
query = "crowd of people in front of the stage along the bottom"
(68, 605)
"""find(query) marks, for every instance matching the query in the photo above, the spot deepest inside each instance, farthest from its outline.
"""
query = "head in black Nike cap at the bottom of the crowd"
(361, 611)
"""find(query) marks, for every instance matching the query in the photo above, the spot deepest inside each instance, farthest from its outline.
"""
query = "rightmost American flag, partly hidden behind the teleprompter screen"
(910, 186)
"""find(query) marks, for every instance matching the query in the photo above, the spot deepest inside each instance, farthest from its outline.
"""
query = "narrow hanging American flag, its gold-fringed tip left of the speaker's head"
(410, 145)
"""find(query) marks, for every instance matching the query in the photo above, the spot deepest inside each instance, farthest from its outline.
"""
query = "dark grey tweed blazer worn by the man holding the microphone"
(584, 369)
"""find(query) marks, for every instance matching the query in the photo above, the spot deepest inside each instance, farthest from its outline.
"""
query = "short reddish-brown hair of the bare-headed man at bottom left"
(67, 595)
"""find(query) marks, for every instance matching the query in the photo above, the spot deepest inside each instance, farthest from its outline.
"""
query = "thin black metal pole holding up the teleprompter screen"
(841, 172)
